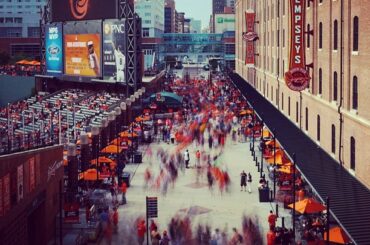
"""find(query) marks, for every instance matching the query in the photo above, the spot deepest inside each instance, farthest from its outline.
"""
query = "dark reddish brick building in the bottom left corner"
(29, 195)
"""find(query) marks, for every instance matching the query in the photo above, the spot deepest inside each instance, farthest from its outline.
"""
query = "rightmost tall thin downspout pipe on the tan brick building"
(340, 106)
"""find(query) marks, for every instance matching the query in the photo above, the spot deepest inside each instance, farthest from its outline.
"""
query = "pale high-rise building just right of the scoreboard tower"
(152, 14)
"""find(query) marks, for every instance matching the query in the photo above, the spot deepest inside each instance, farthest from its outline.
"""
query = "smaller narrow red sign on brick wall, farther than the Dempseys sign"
(250, 36)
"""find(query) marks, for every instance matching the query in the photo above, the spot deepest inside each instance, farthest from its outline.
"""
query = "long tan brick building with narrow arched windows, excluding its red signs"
(333, 111)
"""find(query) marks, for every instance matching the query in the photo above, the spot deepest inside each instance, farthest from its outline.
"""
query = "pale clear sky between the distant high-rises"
(197, 9)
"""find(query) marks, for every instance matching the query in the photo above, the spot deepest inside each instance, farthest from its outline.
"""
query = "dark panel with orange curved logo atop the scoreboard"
(73, 10)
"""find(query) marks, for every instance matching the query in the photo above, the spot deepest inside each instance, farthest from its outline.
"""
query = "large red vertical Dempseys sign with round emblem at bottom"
(297, 78)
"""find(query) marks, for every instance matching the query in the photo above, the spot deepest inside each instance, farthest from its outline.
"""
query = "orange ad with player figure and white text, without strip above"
(82, 55)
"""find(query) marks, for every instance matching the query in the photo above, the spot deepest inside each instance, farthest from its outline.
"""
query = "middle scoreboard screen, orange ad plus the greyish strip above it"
(82, 49)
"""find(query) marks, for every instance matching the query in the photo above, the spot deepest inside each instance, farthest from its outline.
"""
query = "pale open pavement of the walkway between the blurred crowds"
(223, 211)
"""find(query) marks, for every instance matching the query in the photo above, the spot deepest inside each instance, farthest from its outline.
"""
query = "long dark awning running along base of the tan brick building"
(349, 199)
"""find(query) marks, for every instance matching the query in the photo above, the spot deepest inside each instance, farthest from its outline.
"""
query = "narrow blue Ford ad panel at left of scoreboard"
(54, 49)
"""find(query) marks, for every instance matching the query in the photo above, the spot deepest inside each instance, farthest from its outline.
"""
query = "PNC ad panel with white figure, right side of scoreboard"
(114, 50)
